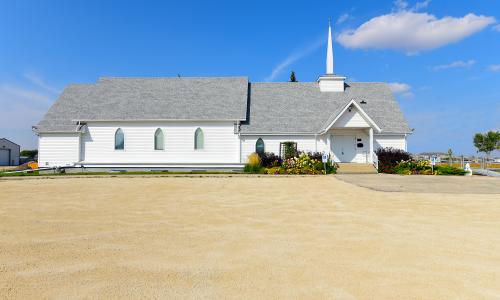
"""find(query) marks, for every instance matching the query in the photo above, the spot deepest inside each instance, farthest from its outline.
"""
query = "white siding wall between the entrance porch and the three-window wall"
(272, 143)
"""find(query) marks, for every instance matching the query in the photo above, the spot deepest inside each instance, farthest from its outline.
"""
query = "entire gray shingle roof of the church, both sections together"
(274, 107)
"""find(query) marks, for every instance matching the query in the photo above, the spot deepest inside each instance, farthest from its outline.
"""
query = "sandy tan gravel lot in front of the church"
(285, 237)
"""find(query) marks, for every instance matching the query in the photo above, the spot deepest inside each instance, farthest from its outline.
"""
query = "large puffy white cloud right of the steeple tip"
(412, 32)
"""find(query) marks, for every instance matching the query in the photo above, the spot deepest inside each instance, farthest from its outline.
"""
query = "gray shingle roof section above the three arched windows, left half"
(191, 98)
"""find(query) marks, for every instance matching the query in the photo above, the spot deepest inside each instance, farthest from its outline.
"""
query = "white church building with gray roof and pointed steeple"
(216, 122)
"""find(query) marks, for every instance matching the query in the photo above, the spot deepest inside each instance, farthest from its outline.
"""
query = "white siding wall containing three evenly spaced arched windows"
(221, 143)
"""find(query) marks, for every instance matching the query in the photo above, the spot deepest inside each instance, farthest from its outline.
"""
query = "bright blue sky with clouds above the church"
(440, 57)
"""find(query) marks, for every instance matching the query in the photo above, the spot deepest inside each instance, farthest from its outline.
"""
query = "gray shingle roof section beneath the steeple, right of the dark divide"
(300, 107)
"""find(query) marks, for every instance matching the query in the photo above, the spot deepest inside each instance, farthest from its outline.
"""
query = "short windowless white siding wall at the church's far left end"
(57, 149)
